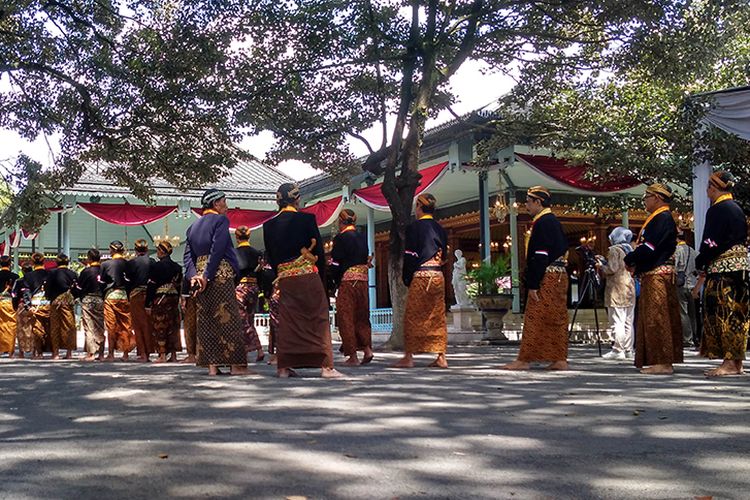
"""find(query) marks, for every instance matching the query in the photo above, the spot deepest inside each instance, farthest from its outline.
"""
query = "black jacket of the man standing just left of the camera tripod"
(547, 244)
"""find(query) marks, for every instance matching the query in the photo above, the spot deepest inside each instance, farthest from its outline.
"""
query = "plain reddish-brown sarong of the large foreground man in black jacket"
(304, 331)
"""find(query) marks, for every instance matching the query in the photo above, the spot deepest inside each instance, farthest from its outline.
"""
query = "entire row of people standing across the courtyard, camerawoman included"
(222, 283)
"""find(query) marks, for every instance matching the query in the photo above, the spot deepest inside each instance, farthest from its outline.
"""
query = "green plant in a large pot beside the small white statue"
(490, 287)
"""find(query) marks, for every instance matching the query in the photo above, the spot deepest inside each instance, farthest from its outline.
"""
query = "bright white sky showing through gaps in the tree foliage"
(473, 88)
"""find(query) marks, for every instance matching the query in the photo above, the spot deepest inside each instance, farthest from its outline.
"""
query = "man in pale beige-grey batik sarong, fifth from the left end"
(89, 289)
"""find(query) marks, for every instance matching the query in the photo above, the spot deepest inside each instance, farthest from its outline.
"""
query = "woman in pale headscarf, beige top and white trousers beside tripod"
(619, 293)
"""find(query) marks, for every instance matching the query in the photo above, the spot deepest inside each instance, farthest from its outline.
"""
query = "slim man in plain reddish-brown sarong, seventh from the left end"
(137, 274)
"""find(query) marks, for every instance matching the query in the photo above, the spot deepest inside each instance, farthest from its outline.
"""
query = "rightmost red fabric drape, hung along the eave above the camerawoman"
(574, 175)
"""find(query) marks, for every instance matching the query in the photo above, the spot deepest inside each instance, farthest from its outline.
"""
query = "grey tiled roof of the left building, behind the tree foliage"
(248, 180)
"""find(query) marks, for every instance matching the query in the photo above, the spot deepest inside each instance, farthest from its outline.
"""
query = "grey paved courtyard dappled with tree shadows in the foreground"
(126, 430)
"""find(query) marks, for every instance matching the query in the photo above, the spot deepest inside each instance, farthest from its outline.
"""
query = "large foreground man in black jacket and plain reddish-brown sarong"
(295, 251)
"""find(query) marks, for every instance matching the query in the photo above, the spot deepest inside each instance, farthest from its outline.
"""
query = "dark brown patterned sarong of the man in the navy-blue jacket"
(219, 325)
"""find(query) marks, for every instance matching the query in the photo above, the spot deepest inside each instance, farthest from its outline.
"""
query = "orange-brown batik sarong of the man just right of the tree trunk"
(425, 329)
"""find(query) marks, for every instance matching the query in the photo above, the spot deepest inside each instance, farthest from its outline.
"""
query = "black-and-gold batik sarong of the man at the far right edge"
(726, 318)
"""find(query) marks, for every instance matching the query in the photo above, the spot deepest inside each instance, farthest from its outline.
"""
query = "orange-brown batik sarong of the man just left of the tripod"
(545, 321)
